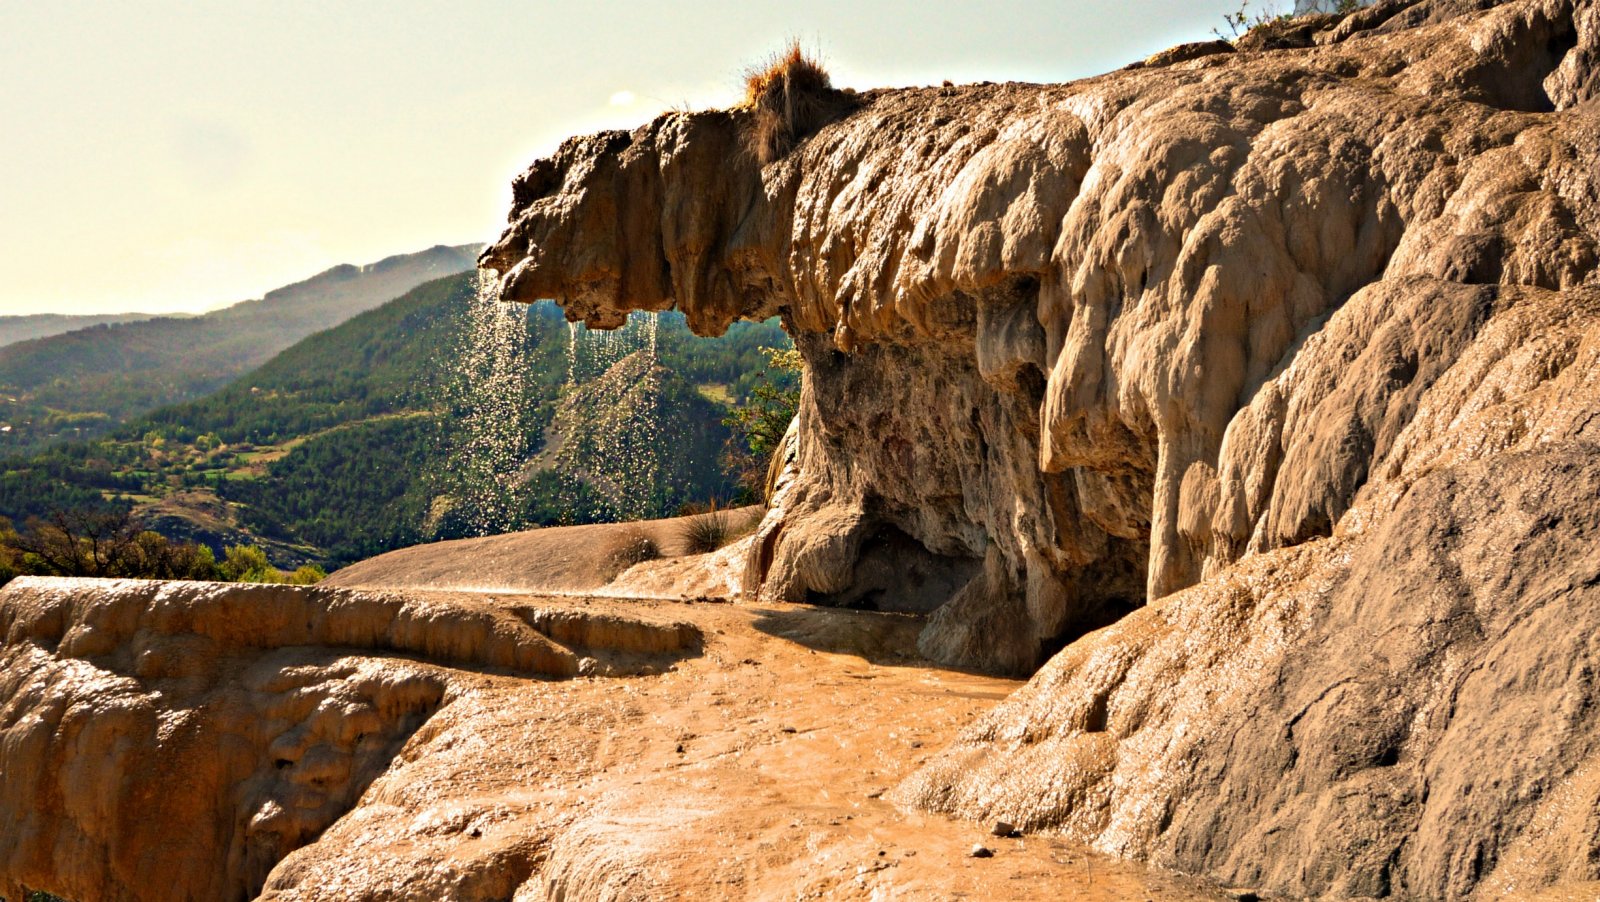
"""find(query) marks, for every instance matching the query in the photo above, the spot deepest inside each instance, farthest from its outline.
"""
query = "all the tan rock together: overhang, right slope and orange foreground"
(1255, 388)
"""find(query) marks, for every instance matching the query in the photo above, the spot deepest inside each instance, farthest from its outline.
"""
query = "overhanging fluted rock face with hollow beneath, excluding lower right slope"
(1082, 345)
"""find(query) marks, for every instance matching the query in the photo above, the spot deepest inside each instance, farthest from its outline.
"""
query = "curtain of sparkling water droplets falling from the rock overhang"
(615, 445)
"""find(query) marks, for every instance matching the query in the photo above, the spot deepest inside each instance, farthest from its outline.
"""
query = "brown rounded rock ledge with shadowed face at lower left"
(175, 741)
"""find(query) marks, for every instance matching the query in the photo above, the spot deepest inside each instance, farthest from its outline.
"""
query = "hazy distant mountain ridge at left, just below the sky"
(89, 381)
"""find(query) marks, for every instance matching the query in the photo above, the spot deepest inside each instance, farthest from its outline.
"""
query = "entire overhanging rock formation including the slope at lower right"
(1297, 343)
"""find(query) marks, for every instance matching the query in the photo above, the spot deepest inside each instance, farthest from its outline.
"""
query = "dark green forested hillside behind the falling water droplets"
(351, 442)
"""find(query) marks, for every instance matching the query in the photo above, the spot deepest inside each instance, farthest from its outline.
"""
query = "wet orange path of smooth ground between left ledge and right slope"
(751, 772)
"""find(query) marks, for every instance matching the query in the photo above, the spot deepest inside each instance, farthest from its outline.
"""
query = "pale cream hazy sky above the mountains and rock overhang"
(172, 156)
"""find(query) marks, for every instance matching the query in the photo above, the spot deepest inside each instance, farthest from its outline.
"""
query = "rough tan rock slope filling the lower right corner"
(1401, 712)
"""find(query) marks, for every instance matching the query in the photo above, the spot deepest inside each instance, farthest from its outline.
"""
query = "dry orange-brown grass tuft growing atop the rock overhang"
(791, 97)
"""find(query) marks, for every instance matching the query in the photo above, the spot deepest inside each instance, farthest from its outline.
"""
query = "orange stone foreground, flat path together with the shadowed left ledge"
(351, 744)
